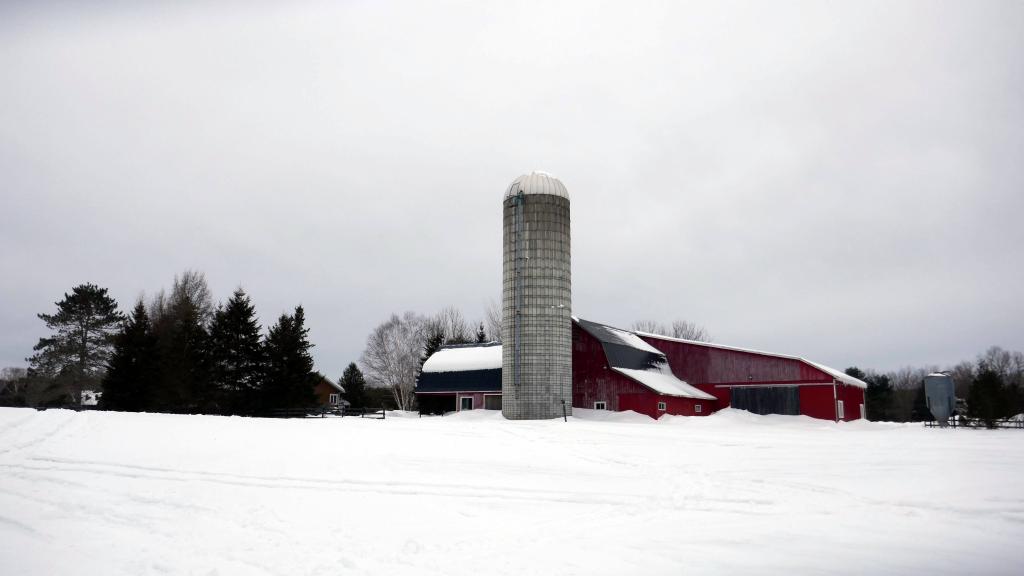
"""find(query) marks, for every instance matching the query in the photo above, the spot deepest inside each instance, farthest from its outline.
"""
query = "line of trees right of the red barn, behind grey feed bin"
(990, 388)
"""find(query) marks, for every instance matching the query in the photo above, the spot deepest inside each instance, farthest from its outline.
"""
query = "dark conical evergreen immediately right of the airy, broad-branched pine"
(133, 372)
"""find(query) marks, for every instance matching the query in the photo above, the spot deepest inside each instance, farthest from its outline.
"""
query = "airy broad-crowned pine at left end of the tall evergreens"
(75, 357)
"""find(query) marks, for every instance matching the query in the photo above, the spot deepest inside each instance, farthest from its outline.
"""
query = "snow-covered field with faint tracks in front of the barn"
(97, 493)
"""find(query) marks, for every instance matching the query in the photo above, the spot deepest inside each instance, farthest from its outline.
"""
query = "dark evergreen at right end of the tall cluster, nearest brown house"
(290, 379)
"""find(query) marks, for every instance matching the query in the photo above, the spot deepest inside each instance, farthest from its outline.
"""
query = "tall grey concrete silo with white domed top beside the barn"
(537, 326)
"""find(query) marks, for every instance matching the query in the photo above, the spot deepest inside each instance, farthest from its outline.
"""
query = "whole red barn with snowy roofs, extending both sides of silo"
(616, 369)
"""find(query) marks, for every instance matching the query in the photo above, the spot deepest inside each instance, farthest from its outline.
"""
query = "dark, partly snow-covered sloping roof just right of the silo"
(630, 356)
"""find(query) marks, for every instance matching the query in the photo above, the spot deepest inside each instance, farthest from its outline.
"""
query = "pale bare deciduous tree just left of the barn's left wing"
(393, 357)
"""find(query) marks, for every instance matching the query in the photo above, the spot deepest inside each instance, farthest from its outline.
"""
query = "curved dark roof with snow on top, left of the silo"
(463, 368)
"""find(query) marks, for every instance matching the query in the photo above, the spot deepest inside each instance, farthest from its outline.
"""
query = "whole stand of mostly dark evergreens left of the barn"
(177, 353)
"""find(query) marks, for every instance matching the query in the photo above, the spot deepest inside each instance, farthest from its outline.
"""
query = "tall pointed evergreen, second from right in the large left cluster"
(236, 356)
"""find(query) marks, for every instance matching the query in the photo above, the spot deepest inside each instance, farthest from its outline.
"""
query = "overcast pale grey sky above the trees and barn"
(843, 182)
